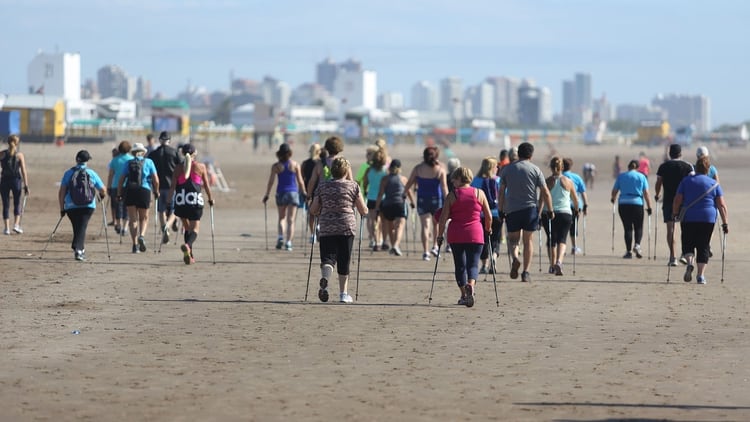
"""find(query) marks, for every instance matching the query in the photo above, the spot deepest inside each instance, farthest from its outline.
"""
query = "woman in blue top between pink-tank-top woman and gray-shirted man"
(489, 183)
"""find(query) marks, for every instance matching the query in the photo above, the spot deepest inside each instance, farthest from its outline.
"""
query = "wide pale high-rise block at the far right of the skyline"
(686, 110)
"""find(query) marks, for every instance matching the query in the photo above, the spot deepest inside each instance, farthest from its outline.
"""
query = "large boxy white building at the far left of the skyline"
(56, 75)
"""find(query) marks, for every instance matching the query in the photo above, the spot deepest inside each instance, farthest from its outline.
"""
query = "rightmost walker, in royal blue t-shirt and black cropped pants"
(695, 204)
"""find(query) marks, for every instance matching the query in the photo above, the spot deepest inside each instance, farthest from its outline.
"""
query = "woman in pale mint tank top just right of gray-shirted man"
(565, 207)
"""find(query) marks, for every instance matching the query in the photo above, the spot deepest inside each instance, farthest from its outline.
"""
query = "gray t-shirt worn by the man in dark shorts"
(521, 179)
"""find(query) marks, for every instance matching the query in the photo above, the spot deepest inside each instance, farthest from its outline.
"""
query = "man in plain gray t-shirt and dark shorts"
(519, 183)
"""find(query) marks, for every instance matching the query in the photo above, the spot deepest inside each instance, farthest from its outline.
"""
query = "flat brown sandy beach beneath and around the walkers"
(159, 340)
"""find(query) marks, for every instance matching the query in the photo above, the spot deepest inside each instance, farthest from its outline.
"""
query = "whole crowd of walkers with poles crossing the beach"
(464, 212)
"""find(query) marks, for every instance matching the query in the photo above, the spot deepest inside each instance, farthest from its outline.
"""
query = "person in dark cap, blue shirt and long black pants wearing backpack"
(79, 214)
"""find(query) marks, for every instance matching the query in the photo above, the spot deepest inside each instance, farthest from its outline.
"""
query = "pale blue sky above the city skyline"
(633, 49)
